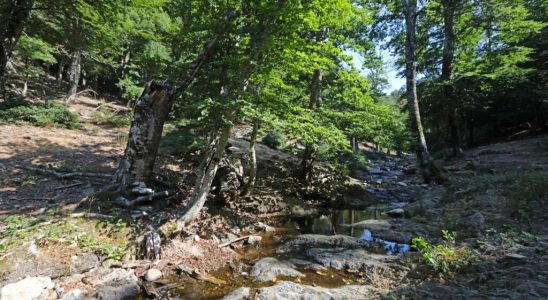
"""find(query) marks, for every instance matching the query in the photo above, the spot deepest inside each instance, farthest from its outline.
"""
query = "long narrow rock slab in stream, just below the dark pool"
(322, 241)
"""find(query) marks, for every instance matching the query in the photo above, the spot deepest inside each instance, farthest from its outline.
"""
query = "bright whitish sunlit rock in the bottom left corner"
(31, 288)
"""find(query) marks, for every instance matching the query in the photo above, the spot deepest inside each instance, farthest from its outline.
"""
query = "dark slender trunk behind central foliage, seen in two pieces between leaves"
(310, 150)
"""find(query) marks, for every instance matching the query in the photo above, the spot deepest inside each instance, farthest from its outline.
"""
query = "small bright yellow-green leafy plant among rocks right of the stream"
(445, 257)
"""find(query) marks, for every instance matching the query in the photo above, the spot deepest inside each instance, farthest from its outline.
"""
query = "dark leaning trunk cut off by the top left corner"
(13, 15)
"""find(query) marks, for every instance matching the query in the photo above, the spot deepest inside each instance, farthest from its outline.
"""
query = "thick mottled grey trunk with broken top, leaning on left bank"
(149, 116)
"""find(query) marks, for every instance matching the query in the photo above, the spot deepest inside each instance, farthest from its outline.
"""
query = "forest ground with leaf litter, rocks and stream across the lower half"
(297, 241)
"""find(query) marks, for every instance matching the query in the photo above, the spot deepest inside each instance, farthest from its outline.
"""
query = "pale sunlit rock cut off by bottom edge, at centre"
(290, 290)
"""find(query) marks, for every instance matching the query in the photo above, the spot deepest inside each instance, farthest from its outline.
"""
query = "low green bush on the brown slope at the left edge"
(50, 114)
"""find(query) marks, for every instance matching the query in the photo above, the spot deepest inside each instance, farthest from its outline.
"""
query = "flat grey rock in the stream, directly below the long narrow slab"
(357, 259)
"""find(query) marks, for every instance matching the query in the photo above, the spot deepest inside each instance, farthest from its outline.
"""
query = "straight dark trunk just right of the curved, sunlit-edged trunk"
(447, 75)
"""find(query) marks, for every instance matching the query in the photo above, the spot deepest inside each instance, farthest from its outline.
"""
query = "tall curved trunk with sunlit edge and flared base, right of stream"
(425, 163)
